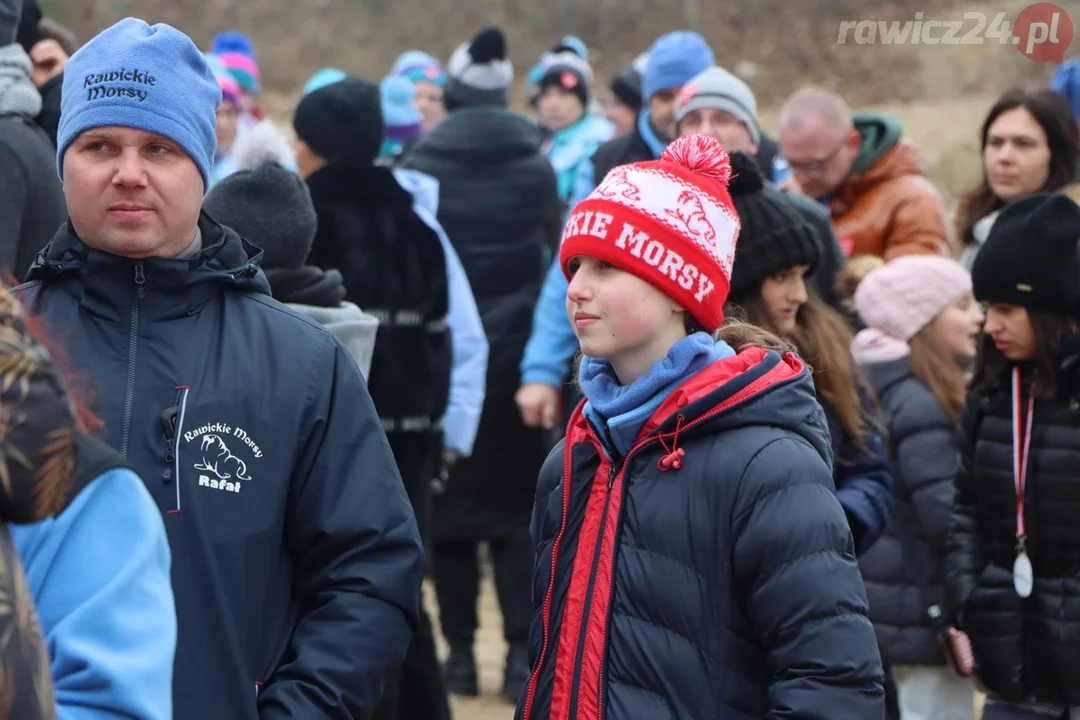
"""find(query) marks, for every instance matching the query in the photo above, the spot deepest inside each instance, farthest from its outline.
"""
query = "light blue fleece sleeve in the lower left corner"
(100, 576)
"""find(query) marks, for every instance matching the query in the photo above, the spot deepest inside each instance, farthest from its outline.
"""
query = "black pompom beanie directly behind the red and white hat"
(774, 237)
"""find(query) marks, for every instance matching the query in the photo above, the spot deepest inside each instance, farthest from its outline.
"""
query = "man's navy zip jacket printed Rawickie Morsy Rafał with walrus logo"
(296, 560)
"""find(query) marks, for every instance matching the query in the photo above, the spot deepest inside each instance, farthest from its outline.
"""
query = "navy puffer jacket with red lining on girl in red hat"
(726, 588)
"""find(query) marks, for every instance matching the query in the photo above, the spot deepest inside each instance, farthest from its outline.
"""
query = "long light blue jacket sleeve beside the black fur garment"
(468, 339)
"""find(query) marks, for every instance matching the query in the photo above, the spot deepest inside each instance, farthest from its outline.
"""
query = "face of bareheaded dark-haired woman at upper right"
(1017, 157)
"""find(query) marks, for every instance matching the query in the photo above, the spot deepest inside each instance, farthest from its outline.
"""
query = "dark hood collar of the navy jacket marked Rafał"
(109, 284)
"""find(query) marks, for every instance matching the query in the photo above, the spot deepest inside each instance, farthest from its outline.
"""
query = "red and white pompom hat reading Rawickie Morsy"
(670, 222)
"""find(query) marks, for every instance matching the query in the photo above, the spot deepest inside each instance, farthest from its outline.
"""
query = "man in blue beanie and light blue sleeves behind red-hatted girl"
(673, 61)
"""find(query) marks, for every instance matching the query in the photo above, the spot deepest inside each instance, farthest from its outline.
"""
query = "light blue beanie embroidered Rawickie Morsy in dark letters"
(150, 78)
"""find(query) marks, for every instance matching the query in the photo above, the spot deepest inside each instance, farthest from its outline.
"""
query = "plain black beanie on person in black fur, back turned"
(343, 123)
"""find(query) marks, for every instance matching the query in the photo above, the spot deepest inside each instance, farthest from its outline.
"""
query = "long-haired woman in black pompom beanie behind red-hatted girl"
(777, 251)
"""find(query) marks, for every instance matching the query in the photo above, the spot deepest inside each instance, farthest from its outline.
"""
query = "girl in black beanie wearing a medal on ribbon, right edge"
(1014, 548)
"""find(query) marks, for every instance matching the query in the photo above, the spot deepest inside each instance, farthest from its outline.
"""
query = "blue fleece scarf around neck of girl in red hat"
(620, 412)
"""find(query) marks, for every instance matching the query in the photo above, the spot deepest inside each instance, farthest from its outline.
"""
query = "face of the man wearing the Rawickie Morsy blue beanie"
(131, 193)
